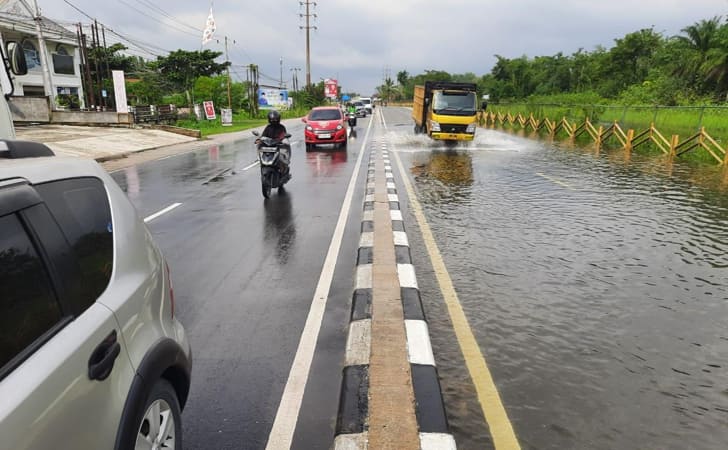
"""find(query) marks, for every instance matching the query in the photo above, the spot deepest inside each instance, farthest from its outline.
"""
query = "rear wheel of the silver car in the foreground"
(161, 424)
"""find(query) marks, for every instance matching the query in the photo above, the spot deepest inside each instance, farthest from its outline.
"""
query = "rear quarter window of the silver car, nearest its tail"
(81, 207)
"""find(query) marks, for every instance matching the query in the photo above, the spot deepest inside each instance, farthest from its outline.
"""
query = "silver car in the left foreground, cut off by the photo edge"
(91, 354)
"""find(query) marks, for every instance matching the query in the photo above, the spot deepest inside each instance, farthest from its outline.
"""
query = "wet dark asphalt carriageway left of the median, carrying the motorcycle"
(244, 271)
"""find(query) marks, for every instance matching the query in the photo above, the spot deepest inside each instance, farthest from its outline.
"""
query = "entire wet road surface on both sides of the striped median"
(595, 287)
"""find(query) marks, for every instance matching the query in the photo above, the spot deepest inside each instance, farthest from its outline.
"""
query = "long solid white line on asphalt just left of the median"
(284, 425)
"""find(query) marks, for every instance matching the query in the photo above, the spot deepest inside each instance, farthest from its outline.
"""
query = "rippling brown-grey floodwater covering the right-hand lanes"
(596, 285)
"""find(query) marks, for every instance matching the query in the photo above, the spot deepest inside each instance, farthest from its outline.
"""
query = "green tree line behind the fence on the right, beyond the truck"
(643, 67)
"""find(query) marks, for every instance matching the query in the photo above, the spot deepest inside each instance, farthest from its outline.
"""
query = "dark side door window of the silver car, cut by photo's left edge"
(28, 305)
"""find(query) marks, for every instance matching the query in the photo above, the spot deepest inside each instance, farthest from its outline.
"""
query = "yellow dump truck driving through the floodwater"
(445, 110)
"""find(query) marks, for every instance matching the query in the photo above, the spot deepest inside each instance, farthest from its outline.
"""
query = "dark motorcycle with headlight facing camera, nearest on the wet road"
(274, 156)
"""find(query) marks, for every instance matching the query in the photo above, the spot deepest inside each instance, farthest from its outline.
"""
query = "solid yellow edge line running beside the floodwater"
(504, 438)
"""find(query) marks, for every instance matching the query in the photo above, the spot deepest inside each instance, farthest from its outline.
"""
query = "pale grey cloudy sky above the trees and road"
(358, 41)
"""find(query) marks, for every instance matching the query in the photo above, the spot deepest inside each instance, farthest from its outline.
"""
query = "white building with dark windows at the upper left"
(62, 53)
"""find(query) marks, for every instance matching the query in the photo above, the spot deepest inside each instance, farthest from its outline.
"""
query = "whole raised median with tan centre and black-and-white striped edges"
(390, 393)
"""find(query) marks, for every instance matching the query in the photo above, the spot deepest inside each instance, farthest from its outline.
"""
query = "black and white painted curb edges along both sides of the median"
(352, 420)
